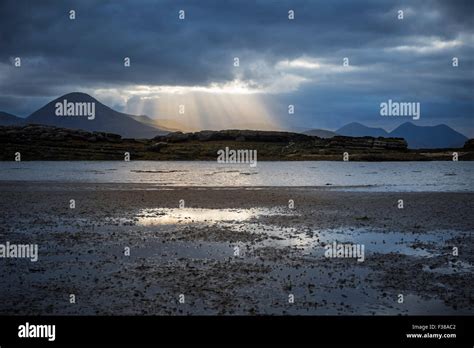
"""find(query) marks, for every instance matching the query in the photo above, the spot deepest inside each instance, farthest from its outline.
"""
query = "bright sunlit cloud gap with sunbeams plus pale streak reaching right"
(241, 103)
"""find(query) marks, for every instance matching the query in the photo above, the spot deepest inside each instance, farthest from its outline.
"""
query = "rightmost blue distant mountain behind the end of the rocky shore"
(429, 137)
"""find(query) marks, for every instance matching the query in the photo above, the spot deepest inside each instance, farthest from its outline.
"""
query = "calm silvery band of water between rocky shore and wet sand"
(361, 176)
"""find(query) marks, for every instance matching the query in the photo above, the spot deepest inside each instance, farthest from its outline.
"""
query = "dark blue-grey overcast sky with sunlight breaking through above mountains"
(282, 61)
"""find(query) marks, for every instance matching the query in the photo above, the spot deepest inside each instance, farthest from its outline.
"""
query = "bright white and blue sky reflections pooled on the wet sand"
(310, 242)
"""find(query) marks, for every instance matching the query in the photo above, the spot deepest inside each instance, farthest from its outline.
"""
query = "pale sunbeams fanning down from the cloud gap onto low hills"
(217, 106)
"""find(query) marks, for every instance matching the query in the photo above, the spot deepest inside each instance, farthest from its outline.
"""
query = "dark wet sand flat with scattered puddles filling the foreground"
(234, 251)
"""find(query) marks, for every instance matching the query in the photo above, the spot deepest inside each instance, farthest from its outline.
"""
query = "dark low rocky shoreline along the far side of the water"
(39, 142)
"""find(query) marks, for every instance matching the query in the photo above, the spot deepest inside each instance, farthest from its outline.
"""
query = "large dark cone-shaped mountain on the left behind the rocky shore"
(105, 120)
